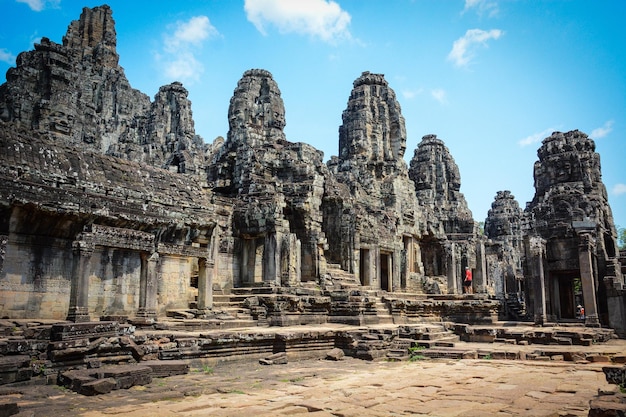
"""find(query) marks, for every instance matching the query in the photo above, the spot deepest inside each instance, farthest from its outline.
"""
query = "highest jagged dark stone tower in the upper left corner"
(75, 91)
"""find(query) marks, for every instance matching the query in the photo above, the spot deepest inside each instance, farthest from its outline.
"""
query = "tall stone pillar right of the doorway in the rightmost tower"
(586, 249)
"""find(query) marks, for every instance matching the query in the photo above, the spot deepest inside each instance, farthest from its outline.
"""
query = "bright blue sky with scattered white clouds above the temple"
(491, 78)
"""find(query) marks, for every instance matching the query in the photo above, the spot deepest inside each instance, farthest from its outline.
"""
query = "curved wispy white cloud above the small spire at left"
(180, 48)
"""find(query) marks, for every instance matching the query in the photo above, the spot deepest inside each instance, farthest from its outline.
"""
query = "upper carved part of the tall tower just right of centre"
(372, 142)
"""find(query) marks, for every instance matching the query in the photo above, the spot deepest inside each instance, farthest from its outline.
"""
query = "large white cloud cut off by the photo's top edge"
(318, 18)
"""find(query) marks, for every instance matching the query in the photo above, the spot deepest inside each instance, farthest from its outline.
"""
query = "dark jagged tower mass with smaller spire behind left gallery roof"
(77, 94)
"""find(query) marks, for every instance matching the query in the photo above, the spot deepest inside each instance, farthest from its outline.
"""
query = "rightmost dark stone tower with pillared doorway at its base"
(571, 254)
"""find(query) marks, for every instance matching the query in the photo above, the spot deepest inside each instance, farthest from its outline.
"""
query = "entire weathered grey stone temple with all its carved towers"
(112, 208)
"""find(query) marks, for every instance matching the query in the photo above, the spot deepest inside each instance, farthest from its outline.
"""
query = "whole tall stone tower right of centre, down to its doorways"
(378, 240)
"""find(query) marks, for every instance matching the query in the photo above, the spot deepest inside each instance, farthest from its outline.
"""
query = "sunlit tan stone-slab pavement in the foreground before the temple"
(350, 387)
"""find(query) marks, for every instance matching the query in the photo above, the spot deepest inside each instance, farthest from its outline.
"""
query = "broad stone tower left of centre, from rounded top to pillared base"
(278, 185)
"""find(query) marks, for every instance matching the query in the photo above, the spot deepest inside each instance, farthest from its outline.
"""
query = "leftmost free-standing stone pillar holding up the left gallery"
(79, 290)
